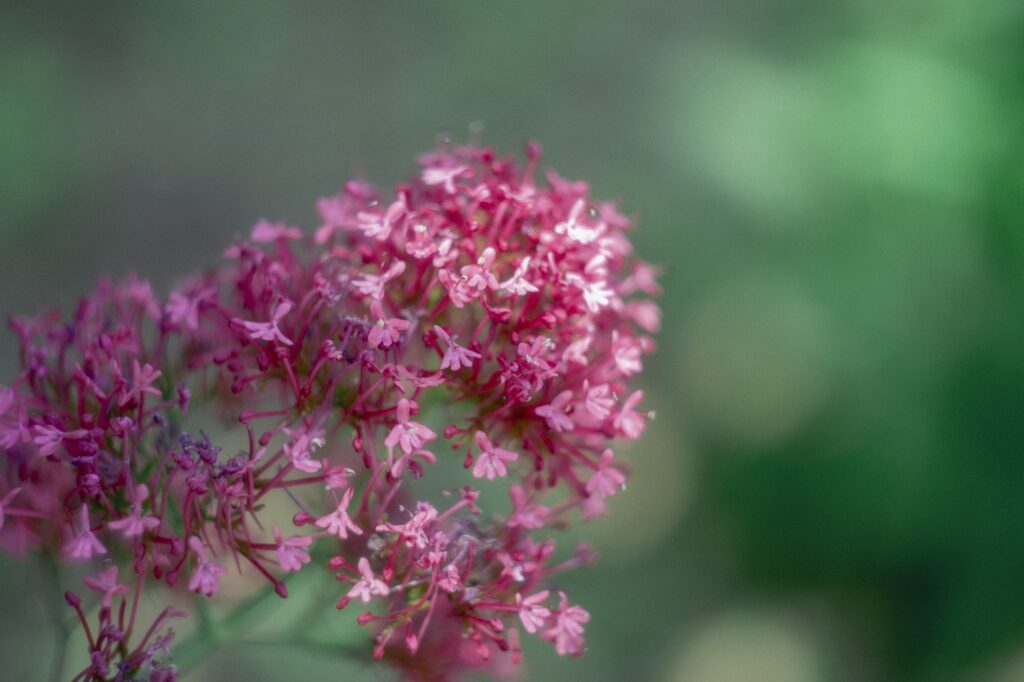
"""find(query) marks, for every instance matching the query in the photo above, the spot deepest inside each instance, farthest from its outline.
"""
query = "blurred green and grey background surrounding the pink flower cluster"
(833, 487)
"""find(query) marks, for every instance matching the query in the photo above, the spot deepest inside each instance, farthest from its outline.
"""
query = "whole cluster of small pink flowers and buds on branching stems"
(480, 321)
